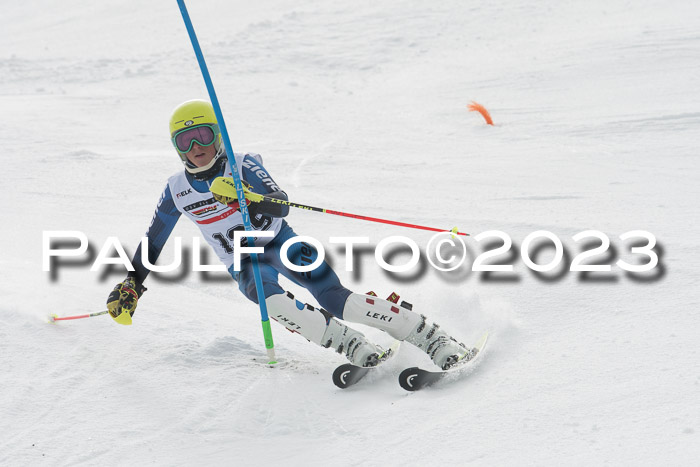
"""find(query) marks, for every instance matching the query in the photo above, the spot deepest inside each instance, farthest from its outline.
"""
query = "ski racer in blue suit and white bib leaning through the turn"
(197, 140)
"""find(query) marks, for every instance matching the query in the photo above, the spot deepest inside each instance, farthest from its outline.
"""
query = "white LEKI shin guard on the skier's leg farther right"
(398, 321)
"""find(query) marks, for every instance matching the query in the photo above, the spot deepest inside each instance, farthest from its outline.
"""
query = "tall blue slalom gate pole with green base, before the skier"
(267, 332)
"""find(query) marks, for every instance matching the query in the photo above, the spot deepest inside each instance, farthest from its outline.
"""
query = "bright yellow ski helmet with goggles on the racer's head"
(195, 121)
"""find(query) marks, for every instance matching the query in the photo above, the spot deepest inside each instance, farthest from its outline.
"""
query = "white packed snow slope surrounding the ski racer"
(359, 107)
